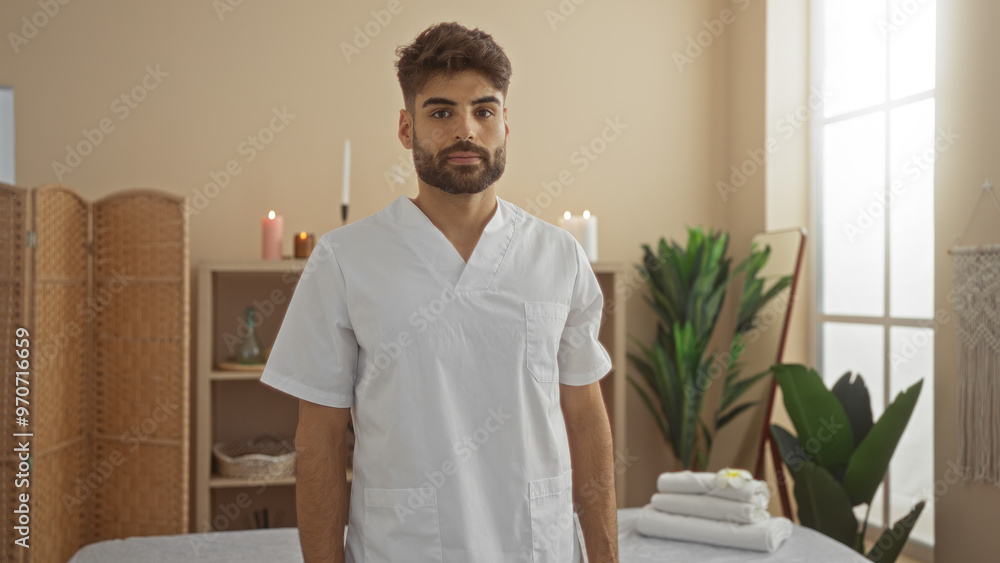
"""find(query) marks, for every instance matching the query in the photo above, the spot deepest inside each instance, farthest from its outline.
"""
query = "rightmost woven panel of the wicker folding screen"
(142, 363)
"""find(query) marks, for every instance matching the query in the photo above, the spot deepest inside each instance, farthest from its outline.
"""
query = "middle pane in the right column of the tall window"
(911, 219)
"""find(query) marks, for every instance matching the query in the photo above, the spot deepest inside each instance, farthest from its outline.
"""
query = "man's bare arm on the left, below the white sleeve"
(321, 481)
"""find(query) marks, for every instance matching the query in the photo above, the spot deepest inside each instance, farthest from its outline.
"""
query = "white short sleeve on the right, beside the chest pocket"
(582, 358)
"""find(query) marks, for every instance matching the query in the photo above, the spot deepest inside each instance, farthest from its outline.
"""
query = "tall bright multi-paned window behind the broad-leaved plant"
(874, 148)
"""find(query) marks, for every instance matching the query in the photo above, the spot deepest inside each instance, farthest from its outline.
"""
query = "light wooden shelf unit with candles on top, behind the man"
(229, 404)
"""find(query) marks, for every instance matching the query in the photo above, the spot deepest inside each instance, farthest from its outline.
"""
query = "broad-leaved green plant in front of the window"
(840, 456)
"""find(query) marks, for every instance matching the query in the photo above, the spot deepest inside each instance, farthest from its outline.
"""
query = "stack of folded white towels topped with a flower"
(728, 508)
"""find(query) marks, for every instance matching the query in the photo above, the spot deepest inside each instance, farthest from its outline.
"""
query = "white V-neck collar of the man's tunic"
(442, 258)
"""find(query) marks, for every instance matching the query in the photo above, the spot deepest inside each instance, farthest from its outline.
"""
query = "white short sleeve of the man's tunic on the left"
(315, 354)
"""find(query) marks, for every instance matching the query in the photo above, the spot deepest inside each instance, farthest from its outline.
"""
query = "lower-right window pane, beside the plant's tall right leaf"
(911, 472)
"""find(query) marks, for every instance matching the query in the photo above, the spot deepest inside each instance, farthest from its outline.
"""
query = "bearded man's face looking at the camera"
(459, 133)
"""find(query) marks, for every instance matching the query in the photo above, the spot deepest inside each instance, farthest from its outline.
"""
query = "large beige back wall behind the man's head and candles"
(225, 77)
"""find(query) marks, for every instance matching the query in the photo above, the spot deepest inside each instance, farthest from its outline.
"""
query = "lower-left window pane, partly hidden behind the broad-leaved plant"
(860, 350)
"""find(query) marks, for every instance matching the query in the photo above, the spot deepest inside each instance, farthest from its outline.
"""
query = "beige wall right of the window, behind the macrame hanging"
(968, 80)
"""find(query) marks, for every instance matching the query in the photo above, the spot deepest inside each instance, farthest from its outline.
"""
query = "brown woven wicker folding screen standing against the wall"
(109, 310)
